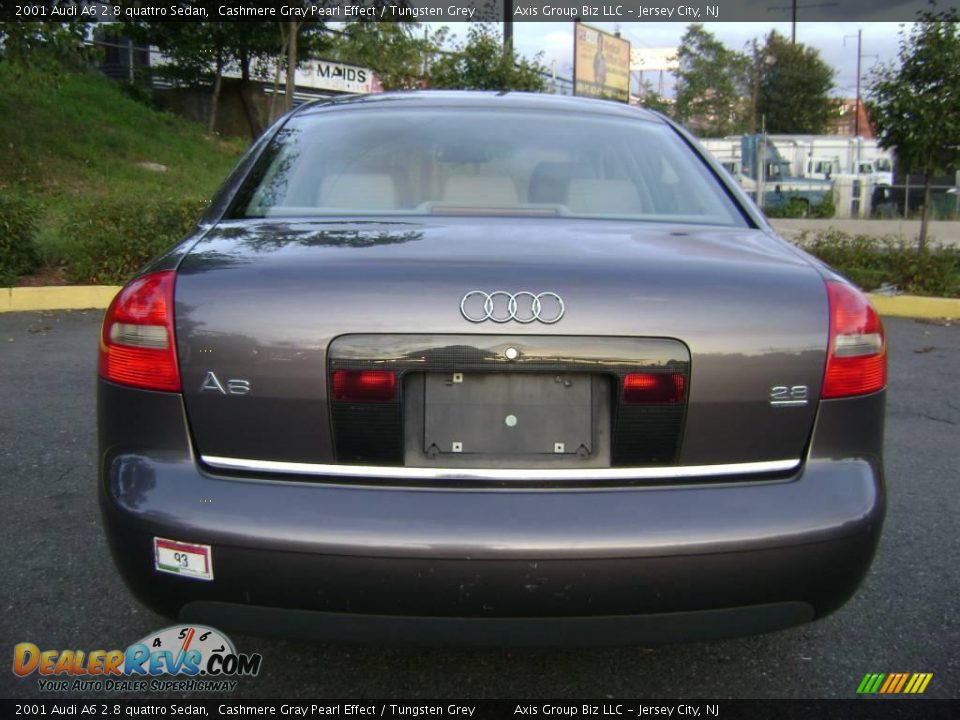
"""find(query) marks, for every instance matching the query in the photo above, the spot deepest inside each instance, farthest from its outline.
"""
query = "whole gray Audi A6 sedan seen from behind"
(489, 369)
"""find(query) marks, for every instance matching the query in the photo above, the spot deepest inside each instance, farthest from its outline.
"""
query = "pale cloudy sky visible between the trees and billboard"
(880, 42)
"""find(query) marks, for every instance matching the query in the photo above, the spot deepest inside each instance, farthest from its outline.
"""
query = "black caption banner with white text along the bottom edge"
(478, 709)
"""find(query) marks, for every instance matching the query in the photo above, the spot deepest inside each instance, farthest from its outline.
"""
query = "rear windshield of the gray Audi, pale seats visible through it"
(452, 161)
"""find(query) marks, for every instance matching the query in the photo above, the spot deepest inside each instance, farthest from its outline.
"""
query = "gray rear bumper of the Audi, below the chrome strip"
(494, 566)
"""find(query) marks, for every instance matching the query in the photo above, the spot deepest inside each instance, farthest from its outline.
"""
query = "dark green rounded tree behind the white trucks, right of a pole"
(794, 86)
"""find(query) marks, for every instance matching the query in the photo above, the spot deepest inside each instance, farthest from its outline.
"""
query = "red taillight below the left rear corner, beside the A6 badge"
(136, 342)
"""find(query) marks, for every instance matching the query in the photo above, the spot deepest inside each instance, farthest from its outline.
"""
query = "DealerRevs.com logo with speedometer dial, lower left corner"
(200, 658)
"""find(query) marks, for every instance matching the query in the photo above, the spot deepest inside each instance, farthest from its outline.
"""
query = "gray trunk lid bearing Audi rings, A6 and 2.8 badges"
(260, 306)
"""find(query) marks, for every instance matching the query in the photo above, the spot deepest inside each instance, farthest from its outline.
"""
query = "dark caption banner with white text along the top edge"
(685, 11)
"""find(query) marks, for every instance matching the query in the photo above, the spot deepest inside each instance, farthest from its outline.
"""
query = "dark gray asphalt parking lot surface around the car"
(59, 589)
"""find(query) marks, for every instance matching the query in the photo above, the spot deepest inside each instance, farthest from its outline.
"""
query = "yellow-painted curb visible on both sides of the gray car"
(98, 297)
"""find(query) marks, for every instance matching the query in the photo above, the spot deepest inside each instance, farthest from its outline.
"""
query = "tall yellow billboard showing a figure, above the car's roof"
(601, 64)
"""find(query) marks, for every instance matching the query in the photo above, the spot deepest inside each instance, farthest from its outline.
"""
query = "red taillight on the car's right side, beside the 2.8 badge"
(857, 351)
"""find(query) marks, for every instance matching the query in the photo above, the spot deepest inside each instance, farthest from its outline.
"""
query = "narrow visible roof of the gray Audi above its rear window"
(479, 99)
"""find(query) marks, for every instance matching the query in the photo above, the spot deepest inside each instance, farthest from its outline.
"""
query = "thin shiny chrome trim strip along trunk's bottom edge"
(411, 473)
